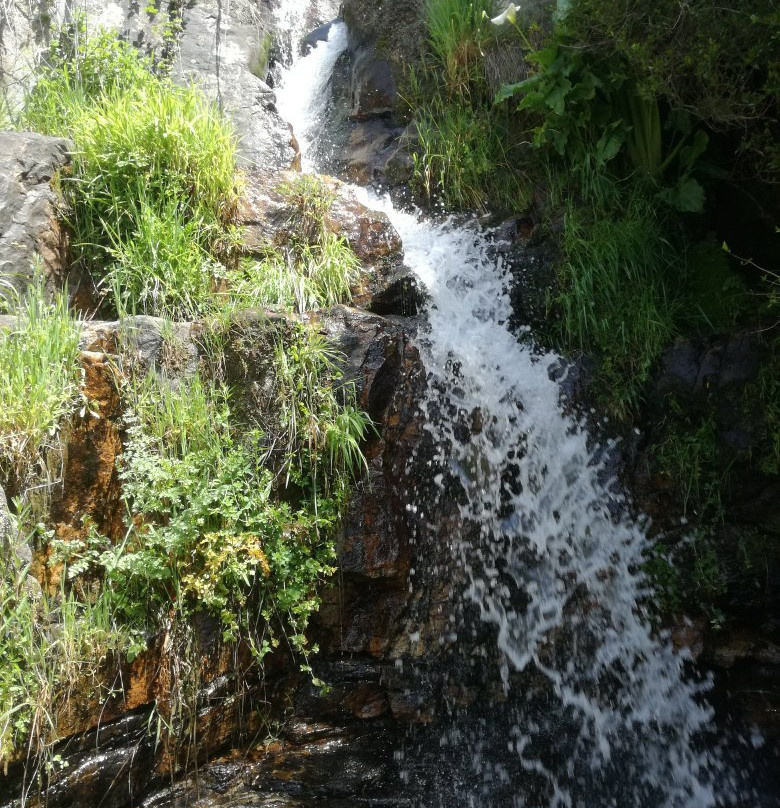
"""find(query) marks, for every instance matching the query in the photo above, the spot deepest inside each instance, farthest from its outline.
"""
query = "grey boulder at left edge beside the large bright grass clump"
(29, 229)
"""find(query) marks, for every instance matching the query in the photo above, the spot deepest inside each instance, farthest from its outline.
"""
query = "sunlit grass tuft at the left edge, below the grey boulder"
(39, 383)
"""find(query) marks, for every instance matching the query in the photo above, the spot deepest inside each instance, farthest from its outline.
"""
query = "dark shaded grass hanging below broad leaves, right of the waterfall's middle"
(616, 297)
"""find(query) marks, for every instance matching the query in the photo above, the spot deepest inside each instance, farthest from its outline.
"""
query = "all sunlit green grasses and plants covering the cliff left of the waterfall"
(232, 503)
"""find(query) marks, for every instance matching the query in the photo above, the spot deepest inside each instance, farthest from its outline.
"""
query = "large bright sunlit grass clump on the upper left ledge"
(152, 190)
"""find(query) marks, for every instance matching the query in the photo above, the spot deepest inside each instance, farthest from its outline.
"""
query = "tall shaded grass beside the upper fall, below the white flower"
(470, 153)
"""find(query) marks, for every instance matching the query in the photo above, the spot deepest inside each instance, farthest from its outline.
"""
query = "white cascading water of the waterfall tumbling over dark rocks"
(547, 549)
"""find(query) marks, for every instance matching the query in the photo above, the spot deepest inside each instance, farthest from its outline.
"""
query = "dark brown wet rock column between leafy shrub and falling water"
(373, 611)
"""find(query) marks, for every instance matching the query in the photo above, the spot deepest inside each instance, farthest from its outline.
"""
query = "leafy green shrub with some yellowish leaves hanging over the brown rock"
(206, 527)
